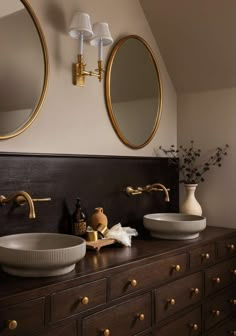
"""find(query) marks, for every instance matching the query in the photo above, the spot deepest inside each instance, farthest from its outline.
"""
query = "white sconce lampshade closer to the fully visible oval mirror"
(101, 33)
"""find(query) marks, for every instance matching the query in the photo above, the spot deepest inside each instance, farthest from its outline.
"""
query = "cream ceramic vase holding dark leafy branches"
(190, 205)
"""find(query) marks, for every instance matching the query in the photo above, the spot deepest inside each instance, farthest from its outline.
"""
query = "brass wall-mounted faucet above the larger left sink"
(22, 197)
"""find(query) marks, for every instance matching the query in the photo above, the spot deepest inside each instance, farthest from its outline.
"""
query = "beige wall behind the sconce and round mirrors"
(75, 120)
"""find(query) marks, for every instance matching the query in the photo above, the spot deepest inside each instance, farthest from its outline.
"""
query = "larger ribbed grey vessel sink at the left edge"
(40, 254)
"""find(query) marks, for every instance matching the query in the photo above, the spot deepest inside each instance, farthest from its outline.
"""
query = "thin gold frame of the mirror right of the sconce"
(108, 92)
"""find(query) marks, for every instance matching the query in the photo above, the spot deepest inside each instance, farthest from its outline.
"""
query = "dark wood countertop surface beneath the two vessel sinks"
(95, 263)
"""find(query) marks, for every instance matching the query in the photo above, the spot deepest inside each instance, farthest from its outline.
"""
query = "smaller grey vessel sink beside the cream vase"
(175, 226)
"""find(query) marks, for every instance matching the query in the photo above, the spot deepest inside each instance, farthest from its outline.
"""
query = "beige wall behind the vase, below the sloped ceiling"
(209, 119)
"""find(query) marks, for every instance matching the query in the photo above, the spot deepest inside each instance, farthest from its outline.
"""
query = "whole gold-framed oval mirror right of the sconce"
(133, 91)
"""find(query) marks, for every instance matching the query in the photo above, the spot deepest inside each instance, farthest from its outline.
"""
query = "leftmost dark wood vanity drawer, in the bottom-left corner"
(29, 317)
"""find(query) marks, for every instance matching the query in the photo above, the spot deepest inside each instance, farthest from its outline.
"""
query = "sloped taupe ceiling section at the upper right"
(197, 40)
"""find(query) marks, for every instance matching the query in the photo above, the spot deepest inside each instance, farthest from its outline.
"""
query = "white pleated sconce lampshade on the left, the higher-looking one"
(80, 25)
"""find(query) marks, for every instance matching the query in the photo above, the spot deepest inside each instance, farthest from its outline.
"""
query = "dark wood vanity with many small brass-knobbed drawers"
(156, 287)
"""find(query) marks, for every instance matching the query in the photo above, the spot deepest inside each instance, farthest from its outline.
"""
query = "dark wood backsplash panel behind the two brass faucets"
(98, 180)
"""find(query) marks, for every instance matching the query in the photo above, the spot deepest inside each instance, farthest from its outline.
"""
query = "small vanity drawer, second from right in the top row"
(203, 255)
